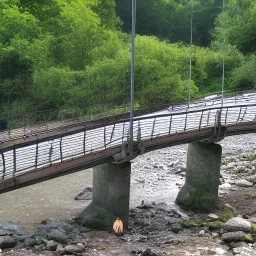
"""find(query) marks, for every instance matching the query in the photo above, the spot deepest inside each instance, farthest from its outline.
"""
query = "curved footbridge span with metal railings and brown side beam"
(36, 157)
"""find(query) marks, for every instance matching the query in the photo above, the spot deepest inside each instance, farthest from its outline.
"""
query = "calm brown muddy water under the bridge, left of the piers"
(52, 199)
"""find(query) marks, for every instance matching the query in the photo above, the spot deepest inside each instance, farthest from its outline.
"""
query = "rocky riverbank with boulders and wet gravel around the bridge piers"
(157, 225)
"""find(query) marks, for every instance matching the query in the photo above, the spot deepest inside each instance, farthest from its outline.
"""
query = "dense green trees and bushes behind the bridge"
(56, 54)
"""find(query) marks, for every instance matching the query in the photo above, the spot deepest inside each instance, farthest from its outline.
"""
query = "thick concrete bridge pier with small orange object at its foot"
(111, 195)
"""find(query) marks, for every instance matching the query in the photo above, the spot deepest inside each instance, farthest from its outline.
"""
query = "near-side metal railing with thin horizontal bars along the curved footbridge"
(20, 159)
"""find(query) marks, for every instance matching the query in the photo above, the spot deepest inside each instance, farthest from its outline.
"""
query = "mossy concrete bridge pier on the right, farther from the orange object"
(200, 191)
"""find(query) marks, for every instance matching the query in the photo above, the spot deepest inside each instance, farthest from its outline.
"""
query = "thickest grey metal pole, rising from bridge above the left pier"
(132, 77)
